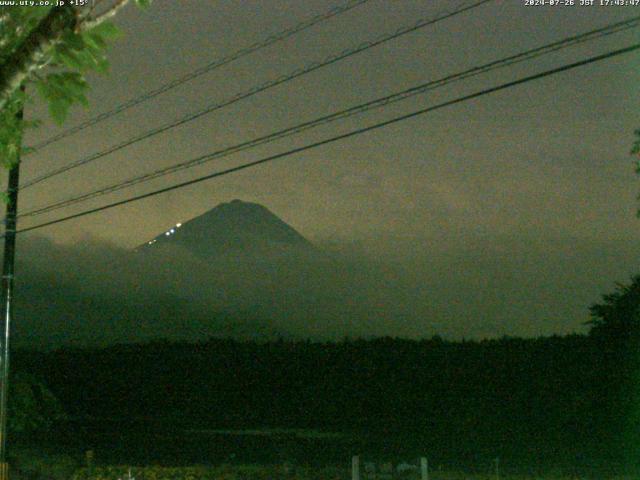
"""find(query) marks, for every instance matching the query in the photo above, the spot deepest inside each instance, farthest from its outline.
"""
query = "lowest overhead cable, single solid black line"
(343, 136)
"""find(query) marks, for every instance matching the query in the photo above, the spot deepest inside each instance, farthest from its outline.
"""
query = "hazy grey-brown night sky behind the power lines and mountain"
(525, 199)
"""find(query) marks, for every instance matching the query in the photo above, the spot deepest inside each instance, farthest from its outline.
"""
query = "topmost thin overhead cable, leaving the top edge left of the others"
(254, 47)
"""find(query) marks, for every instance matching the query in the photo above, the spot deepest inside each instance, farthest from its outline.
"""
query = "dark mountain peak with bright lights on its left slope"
(236, 228)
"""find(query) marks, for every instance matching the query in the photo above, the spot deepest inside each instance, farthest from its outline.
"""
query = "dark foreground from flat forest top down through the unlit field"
(544, 407)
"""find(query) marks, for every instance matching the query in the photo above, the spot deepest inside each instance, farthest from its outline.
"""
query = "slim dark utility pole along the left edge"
(6, 297)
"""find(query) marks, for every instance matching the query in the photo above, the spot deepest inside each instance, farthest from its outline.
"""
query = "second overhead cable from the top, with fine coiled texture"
(258, 89)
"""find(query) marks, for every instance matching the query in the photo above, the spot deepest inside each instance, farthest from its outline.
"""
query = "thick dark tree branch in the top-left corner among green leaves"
(27, 57)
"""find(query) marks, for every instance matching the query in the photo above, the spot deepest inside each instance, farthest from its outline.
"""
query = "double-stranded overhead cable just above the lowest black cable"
(377, 103)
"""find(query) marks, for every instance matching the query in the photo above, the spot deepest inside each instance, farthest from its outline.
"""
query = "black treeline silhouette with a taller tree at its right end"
(569, 400)
